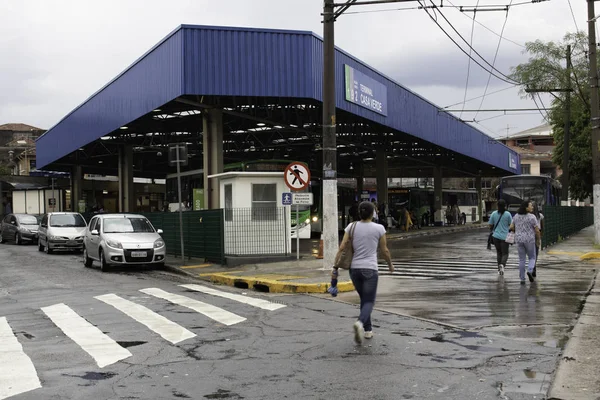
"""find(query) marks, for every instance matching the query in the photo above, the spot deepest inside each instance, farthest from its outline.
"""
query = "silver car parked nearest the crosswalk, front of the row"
(119, 239)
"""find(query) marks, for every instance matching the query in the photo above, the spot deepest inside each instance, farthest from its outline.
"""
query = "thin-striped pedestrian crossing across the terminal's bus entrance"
(426, 269)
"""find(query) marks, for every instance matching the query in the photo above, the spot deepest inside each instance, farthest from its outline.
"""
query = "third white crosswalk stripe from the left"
(166, 328)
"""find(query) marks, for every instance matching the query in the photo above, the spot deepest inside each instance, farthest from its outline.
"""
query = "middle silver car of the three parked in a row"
(61, 231)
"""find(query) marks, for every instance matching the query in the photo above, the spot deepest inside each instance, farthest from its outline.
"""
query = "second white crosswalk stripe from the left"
(102, 348)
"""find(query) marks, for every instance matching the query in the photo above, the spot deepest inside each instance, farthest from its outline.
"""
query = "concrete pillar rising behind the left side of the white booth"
(212, 146)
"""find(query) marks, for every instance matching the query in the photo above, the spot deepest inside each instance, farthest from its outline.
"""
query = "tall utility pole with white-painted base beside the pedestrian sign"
(329, 179)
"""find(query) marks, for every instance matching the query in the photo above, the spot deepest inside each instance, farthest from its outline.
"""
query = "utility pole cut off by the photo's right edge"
(595, 117)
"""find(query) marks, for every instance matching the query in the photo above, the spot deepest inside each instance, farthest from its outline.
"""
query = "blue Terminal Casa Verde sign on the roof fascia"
(365, 91)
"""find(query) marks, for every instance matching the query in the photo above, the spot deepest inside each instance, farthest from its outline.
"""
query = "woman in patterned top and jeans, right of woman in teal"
(527, 233)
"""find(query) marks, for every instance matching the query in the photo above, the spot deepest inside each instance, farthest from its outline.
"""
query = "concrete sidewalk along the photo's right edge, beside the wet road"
(577, 376)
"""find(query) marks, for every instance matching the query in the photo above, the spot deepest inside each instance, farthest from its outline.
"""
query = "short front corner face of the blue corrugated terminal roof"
(247, 63)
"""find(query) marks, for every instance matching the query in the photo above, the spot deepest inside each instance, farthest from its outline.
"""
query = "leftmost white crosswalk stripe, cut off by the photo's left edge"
(17, 372)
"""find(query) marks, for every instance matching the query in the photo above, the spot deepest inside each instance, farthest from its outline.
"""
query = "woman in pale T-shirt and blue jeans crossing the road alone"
(367, 237)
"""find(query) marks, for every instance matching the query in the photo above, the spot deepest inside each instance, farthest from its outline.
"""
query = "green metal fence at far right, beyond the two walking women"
(562, 222)
